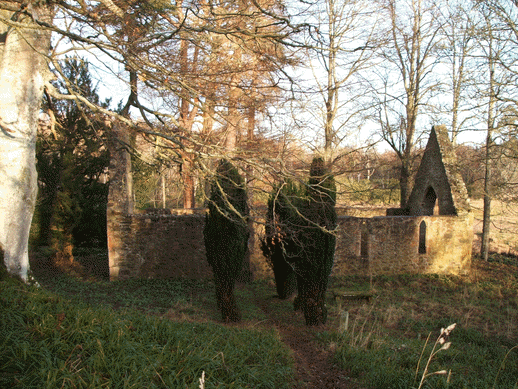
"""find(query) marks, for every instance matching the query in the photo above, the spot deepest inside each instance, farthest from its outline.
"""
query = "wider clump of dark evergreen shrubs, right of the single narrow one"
(300, 241)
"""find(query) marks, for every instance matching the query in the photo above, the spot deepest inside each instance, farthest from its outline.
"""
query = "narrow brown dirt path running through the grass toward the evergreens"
(314, 366)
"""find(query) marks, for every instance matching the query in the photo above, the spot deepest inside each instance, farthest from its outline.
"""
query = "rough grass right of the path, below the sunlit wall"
(384, 341)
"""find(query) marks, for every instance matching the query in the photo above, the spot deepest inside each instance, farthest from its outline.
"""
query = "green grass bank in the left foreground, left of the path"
(49, 341)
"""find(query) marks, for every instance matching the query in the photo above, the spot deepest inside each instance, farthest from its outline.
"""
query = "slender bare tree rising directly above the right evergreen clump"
(340, 46)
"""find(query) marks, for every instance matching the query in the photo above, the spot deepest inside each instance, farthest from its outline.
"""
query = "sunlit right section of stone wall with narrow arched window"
(399, 244)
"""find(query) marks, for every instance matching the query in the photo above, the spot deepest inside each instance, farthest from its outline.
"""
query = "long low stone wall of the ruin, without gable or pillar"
(161, 245)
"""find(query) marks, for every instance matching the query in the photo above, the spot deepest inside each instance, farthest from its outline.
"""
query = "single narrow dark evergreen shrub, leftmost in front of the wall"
(226, 235)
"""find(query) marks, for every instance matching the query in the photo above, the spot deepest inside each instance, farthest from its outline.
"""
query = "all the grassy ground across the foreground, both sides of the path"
(85, 332)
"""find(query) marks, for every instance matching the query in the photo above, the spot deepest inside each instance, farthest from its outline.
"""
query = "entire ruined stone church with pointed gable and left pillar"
(433, 234)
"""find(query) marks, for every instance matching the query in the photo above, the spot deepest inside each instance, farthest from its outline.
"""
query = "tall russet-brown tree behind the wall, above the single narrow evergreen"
(227, 80)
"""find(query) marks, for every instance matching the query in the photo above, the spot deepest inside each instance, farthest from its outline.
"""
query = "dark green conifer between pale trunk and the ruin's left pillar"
(71, 158)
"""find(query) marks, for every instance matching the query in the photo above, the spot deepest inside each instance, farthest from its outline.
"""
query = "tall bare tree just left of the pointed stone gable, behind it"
(408, 56)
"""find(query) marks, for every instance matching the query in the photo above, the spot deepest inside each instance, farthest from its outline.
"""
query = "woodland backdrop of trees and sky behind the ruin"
(269, 85)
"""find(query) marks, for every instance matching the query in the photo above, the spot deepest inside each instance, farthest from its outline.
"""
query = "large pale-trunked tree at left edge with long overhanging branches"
(120, 38)
